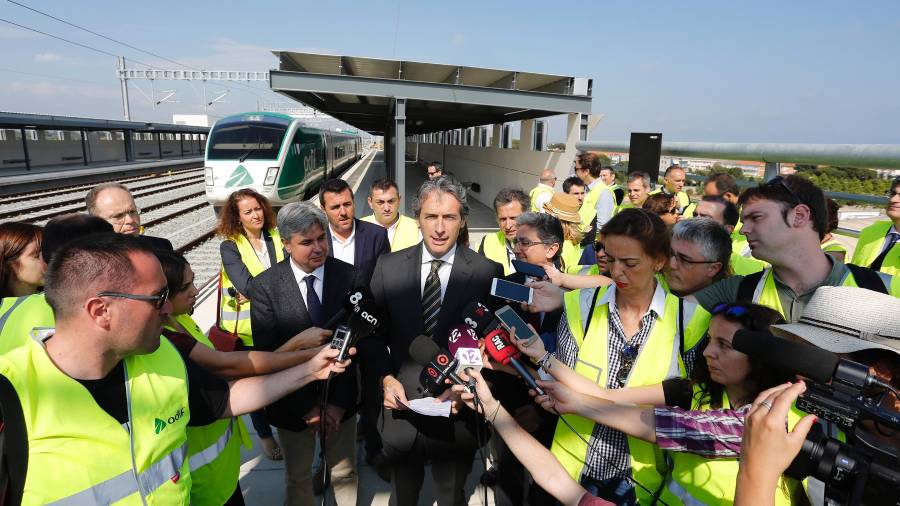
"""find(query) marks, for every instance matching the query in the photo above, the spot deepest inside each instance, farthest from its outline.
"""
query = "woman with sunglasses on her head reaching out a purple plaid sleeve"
(704, 455)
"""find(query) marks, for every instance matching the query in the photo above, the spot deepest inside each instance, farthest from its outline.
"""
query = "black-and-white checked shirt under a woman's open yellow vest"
(608, 455)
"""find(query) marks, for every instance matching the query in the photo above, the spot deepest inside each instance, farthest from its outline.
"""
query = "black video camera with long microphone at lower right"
(858, 471)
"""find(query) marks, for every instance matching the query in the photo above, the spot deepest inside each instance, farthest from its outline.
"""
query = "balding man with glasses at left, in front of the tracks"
(114, 203)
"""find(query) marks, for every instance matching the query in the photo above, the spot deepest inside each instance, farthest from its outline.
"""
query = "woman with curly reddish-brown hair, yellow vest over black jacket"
(251, 245)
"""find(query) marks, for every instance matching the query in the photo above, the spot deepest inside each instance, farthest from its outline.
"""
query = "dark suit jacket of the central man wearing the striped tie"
(396, 287)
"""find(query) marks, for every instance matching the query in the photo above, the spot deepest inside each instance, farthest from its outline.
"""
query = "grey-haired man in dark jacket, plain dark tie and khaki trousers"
(302, 291)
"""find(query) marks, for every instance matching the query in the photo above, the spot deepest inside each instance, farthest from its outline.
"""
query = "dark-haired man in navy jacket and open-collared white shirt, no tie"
(354, 241)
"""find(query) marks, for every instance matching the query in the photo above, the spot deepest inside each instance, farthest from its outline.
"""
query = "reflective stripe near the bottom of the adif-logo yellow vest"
(123, 485)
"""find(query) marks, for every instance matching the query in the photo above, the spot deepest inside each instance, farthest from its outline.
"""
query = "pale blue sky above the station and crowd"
(764, 71)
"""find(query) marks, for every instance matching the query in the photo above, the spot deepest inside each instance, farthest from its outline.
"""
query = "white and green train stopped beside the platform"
(274, 154)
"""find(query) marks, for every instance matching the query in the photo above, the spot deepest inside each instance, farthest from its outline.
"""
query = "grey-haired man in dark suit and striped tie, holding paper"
(423, 290)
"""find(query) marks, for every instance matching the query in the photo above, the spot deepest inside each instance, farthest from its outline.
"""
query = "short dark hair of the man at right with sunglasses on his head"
(790, 192)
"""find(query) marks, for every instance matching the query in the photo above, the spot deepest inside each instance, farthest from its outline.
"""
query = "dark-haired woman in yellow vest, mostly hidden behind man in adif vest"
(214, 450)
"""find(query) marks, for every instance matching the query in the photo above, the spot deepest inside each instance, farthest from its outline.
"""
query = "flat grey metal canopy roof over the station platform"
(437, 97)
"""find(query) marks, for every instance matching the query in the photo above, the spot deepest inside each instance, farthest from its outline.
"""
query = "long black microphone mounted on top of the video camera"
(806, 360)
